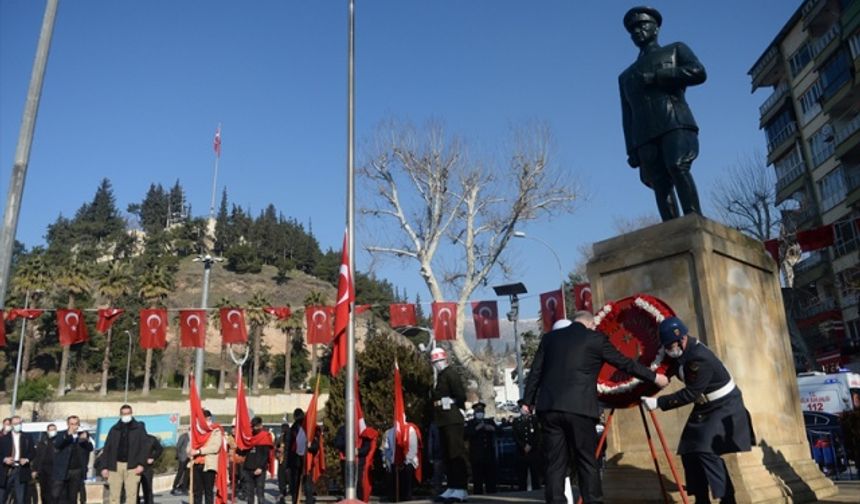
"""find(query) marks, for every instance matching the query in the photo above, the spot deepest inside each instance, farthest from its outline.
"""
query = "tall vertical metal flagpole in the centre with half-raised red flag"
(350, 475)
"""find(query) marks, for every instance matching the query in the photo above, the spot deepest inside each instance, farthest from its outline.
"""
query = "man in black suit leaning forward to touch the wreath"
(562, 388)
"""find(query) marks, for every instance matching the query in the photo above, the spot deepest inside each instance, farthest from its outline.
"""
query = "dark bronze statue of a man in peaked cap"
(659, 129)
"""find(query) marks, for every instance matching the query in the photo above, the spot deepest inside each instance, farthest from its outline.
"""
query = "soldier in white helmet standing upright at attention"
(449, 396)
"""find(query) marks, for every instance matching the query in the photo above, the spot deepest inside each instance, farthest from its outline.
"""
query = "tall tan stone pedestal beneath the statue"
(726, 288)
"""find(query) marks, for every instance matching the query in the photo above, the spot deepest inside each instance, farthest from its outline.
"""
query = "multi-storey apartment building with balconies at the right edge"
(811, 121)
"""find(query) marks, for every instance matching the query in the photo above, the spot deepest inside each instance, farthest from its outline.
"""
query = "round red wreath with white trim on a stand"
(632, 325)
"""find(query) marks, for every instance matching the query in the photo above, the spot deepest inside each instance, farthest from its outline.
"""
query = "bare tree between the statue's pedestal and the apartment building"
(745, 197)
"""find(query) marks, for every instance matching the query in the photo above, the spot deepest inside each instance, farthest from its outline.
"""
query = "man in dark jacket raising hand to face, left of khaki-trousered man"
(70, 463)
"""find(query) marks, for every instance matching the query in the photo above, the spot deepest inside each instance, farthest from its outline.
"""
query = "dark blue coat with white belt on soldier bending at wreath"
(716, 424)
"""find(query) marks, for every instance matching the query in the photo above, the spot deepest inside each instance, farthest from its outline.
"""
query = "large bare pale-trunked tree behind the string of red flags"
(456, 214)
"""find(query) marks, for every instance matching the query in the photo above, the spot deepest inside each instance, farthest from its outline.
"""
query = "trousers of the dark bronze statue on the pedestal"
(665, 167)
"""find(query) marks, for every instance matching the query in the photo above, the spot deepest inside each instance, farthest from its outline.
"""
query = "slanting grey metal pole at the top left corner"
(22, 151)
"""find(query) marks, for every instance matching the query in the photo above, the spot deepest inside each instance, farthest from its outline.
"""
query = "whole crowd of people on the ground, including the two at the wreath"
(555, 435)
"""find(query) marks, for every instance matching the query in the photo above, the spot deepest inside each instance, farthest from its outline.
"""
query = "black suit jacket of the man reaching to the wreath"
(563, 375)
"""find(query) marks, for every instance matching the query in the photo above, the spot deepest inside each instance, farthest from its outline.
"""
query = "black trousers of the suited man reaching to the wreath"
(566, 435)
